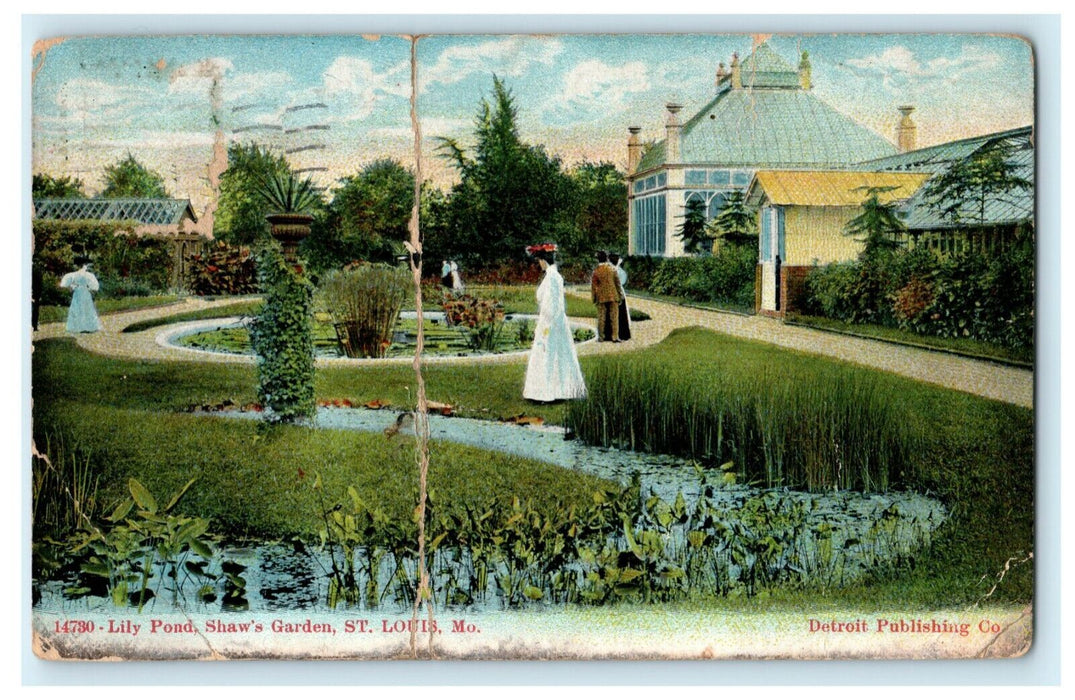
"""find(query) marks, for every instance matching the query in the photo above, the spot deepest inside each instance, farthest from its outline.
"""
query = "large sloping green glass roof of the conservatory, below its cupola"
(771, 128)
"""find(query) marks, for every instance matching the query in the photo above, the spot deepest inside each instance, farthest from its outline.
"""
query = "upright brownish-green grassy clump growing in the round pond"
(365, 302)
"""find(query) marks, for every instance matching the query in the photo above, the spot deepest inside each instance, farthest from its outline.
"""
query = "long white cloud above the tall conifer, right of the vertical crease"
(511, 56)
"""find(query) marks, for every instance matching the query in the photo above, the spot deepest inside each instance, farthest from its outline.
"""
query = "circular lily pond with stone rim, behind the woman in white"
(514, 335)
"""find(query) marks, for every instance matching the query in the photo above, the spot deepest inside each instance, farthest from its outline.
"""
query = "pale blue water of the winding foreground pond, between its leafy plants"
(777, 535)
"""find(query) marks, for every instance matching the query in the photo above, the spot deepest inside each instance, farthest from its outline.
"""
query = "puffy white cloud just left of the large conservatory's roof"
(594, 85)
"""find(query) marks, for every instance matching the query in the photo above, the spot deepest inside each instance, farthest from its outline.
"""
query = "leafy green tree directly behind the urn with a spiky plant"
(241, 212)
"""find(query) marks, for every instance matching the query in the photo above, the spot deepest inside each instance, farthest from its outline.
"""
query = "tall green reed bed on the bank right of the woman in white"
(835, 432)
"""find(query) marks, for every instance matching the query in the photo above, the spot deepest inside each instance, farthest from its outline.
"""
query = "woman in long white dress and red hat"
(553, 373)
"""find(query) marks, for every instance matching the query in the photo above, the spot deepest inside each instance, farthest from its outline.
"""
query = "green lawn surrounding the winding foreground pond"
(977, 455)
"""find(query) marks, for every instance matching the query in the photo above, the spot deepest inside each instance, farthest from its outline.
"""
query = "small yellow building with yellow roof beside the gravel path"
(802, 221)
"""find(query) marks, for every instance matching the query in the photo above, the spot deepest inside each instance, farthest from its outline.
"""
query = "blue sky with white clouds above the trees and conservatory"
(338, 103)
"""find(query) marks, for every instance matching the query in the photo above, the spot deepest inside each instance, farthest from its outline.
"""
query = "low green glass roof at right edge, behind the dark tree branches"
(1015, 207)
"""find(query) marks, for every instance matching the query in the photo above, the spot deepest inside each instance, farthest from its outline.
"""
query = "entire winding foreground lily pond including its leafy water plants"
(669, 531)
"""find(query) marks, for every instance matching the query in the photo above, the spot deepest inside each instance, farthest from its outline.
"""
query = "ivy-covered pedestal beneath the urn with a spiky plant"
(282, 336)
